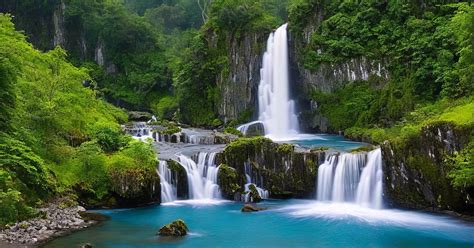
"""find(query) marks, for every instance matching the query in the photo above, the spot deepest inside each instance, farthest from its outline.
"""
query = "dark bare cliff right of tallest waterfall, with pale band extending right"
(326, 77)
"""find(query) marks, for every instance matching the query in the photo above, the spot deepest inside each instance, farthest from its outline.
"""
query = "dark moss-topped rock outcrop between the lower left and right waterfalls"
(282, 170)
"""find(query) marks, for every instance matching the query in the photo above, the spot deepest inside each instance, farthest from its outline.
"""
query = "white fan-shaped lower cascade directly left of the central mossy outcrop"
(202, 176)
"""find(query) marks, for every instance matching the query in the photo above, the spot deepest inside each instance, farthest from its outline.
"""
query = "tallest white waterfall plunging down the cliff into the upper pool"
(276, 109)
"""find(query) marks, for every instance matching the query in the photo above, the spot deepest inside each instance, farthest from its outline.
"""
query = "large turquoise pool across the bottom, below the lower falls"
(292, 223)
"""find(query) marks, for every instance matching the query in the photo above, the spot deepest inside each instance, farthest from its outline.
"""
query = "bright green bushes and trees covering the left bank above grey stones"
(57, 136)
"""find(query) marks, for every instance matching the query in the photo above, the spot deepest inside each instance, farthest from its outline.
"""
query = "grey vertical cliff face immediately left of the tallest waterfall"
(238, 84)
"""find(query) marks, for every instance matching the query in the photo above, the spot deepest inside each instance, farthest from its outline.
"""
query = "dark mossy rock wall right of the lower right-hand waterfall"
(416, 172)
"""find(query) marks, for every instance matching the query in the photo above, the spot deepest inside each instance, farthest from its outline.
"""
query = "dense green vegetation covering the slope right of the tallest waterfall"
(427, 50)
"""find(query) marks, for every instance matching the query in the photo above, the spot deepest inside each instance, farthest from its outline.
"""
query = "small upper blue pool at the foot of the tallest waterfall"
(336, 142)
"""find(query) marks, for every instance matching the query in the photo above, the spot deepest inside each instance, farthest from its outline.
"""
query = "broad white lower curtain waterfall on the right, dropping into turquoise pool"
(352, 178)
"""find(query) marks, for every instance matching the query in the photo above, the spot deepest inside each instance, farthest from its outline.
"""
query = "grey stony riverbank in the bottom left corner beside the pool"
(53, 221)
